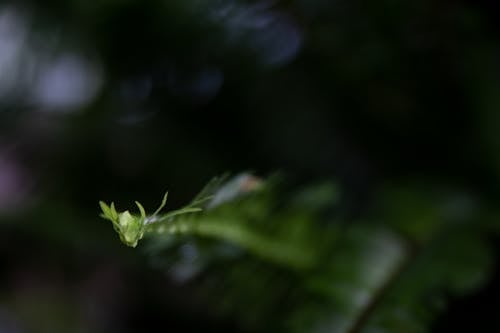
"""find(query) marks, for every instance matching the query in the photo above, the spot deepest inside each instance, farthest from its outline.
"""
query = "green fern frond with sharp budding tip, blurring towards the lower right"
(272, 253)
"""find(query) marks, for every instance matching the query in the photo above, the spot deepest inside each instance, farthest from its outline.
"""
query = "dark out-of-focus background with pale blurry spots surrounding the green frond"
(120, 100)
